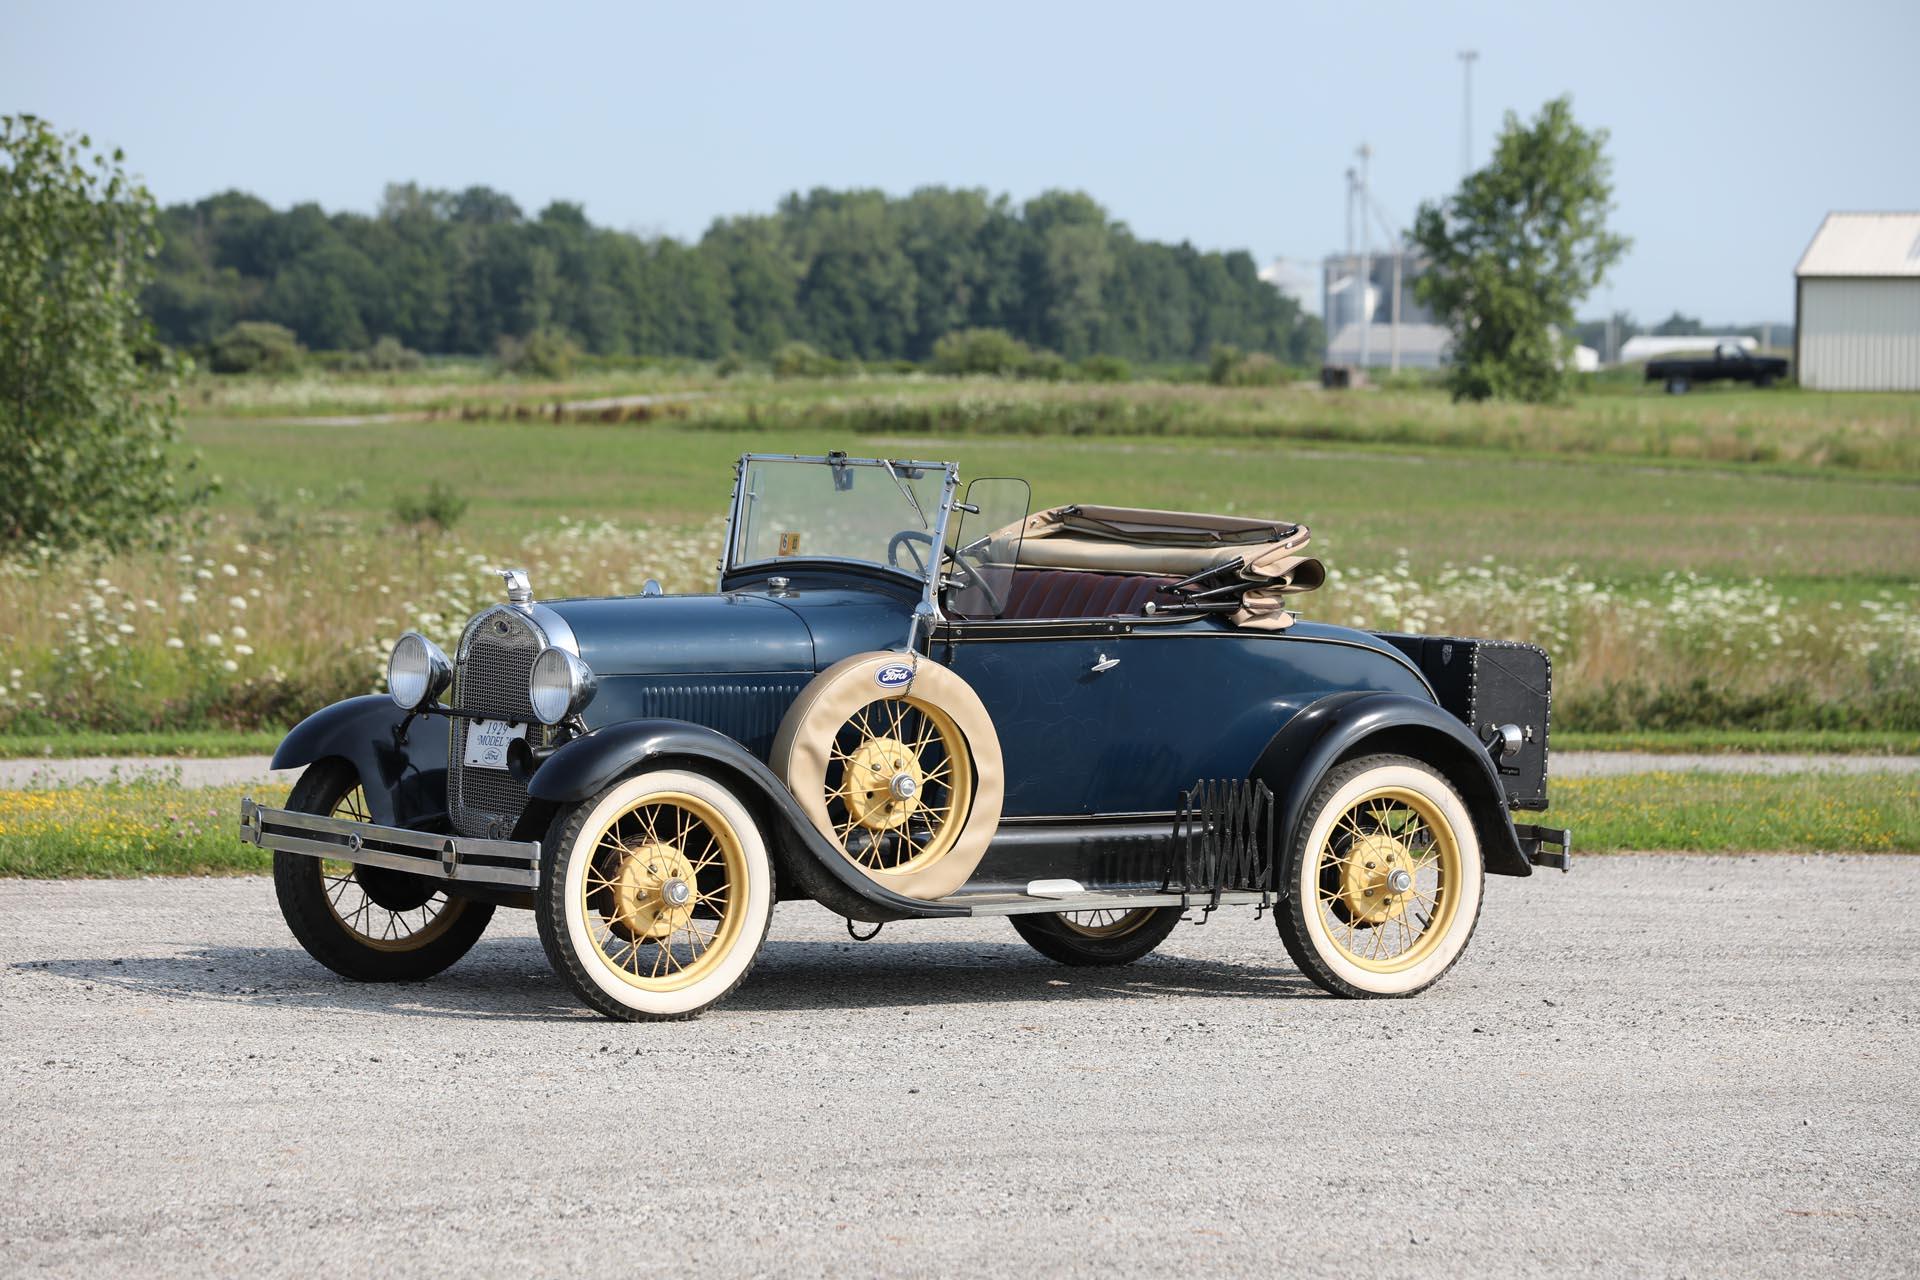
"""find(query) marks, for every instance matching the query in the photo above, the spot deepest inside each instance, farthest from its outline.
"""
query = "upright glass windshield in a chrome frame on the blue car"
(840, 510)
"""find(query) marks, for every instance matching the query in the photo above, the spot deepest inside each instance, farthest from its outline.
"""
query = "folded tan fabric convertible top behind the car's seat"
(1130, 540)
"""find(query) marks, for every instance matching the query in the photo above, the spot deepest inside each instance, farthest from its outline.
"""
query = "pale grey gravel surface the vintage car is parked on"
(1654, 1066)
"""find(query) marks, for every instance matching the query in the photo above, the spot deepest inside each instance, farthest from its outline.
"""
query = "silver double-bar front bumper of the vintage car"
(506, 865)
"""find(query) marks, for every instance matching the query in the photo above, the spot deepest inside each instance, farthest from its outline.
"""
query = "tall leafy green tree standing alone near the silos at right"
(1514, 250)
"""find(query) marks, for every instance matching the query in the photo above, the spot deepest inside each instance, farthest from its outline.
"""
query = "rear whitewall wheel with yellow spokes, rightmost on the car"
(1387, 880)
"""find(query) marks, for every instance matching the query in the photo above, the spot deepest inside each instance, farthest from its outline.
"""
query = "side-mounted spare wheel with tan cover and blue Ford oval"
(898, 765)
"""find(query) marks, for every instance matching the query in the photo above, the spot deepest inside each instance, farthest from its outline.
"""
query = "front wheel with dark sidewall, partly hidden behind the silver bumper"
(368, 924)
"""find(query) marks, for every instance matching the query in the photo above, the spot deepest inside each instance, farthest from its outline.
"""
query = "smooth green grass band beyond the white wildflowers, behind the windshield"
(1368, 508)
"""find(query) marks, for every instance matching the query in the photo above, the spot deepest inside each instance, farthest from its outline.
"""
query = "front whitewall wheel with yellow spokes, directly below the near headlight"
(656, 895)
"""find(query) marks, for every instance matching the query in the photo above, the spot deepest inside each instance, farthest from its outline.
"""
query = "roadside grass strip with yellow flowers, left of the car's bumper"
(124, 830)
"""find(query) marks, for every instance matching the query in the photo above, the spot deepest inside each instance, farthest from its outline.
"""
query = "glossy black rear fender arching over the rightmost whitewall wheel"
(1360, 724)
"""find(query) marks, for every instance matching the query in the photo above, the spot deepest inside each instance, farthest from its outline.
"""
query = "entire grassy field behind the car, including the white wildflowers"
(1677, 592)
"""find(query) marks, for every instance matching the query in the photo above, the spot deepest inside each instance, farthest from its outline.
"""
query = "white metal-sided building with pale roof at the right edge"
(1858, 304)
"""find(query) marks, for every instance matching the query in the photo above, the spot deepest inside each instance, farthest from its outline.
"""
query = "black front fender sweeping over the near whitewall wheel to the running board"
(588, 765)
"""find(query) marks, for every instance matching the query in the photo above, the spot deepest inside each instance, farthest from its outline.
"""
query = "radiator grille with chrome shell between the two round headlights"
(491, 682)
